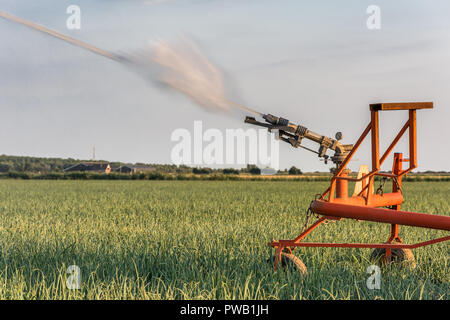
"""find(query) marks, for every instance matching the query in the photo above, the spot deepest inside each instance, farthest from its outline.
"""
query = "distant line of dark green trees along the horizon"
(22, 167)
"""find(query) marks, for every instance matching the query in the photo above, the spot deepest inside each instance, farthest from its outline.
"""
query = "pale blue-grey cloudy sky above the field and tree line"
(313, 62)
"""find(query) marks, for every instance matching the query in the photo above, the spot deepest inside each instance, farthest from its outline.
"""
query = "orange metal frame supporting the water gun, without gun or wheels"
(335, 203)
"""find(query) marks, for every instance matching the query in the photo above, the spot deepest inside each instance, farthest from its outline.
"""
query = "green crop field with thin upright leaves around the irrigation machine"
(199, 240)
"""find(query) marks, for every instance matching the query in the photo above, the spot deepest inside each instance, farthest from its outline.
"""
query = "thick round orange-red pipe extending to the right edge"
(406, 218)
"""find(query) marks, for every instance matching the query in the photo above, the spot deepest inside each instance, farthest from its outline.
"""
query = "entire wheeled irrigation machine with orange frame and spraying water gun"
(364, 204)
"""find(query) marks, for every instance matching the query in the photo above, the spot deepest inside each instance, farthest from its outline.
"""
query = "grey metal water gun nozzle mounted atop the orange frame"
(294, 134)
